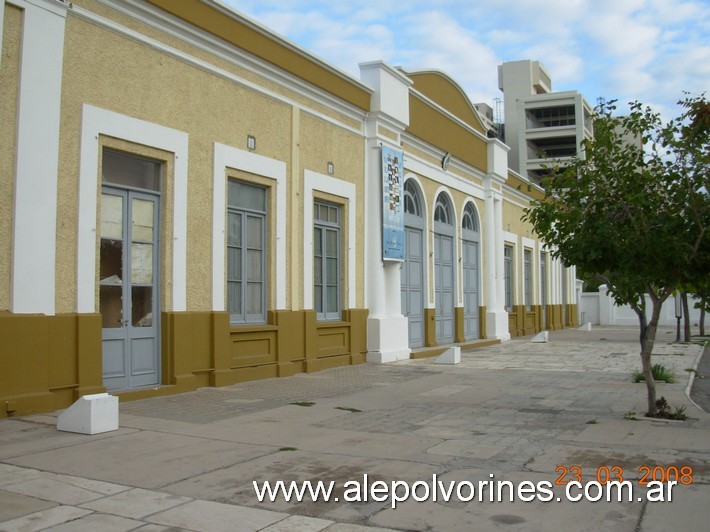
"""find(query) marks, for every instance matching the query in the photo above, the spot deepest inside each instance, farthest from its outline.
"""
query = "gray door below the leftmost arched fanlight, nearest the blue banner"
(412, 282)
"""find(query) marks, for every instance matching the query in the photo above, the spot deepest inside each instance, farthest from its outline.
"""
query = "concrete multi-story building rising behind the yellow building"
(541, 127)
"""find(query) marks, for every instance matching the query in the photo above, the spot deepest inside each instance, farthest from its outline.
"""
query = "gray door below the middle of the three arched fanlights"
(444, 287)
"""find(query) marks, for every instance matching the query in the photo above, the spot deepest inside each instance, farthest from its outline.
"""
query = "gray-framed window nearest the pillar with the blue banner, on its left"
(326, 260)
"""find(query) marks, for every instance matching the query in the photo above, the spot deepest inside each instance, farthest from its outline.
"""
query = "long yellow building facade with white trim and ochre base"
(187, 199)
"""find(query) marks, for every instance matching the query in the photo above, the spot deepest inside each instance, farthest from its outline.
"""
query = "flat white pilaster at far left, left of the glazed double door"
(37, 158)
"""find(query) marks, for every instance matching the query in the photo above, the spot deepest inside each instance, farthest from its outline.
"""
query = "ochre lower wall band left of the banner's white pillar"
(50, 361)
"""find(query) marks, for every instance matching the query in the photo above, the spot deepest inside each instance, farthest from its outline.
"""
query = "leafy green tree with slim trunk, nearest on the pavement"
(633, 209)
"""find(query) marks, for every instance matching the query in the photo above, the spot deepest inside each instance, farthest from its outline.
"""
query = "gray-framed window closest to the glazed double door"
(246, 252)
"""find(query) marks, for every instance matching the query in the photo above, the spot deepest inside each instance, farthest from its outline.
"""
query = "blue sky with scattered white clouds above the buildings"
(646, 50)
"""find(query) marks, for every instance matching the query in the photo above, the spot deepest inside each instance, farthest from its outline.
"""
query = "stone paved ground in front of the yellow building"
(513, 412)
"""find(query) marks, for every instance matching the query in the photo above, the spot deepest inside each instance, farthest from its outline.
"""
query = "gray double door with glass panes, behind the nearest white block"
(128, 288)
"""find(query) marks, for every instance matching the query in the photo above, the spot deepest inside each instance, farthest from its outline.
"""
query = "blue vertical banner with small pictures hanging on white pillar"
(392, 204)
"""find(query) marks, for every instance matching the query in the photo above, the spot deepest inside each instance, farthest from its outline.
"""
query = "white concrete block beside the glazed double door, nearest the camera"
(90, 414)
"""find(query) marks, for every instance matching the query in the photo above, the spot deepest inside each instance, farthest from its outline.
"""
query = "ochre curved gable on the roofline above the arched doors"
(444, 91)
